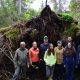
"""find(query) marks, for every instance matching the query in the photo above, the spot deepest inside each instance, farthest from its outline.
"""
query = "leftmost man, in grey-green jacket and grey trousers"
(20, 61)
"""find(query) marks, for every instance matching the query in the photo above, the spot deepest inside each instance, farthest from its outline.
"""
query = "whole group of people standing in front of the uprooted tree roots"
(51, 61)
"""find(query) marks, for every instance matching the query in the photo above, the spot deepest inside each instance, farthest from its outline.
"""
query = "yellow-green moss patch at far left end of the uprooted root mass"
(10, 32)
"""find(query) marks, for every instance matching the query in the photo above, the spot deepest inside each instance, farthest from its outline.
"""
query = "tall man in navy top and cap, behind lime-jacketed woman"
(43, 47)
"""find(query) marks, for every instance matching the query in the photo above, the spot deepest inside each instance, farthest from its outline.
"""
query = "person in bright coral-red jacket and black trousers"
(34, 59)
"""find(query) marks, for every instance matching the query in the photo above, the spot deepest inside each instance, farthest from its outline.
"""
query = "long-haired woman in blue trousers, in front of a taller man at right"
(70, 60)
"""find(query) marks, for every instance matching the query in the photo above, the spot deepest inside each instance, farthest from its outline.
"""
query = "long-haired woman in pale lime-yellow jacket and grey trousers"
(50, 60)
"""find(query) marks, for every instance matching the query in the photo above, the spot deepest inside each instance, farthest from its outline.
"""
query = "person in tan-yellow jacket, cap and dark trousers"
(59, 60)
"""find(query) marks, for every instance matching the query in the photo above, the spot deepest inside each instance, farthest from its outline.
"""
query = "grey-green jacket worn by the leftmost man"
(21, 57)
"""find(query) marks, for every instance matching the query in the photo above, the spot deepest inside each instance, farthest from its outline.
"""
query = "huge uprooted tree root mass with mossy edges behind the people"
(55, 26)
